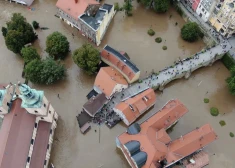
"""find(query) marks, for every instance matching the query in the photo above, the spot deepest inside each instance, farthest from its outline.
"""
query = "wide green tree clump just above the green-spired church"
(45, 71)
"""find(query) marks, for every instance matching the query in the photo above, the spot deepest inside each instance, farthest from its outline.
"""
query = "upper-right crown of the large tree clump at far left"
(19, 23)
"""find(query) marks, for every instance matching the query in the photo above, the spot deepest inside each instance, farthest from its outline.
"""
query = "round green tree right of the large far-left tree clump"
(57, 45)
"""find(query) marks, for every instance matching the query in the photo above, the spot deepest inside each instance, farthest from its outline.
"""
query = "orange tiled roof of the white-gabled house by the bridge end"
(107, 79)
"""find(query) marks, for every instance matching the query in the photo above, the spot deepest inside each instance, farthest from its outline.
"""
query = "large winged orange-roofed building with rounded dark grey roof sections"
(147, 145)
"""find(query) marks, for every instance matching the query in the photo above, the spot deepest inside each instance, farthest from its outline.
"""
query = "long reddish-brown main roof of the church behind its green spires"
(15, 136)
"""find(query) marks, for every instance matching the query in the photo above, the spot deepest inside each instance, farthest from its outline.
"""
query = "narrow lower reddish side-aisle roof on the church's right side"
(40, 145)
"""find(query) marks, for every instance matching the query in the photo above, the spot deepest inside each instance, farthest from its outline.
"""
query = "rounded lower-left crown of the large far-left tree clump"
(14, 41)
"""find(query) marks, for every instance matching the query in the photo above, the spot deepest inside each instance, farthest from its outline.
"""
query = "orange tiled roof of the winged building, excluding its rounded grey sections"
(156, 143)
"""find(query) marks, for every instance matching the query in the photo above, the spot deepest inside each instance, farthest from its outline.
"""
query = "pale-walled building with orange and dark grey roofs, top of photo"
(88, 16)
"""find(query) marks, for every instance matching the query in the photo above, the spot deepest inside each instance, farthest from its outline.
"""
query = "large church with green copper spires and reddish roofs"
(29, 122)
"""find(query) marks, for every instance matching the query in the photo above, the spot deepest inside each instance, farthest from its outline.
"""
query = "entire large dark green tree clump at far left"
(18, 33)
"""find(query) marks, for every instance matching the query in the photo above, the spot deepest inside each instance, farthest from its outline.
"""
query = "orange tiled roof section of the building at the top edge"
(75, 9)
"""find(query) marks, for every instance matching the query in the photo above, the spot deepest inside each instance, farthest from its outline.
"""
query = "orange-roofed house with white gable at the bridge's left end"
(109, 81)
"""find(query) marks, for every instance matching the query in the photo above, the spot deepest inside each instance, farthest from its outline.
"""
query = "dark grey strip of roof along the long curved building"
(122, 58)
